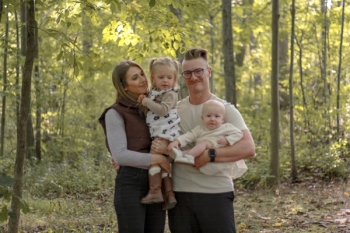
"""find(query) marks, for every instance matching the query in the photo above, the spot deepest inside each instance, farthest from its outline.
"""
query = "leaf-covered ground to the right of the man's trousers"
(311, 206)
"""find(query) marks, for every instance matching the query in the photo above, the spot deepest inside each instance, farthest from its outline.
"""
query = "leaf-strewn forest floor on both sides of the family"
(311, 206)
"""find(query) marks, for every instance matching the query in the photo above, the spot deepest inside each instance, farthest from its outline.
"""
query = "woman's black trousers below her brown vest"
(131, 184)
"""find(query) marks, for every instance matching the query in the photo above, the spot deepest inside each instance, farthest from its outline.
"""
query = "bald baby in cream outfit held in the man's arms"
(213, 134)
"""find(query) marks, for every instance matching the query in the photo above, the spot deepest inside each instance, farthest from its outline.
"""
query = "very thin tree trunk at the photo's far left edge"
(3, 109)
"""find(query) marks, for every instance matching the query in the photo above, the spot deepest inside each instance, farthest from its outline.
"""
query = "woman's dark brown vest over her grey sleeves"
(136, 129)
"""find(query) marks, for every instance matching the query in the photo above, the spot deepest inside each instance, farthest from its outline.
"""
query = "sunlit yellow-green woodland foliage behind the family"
(79, 42)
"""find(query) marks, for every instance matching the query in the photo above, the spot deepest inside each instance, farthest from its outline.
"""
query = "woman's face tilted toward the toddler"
(136, 82)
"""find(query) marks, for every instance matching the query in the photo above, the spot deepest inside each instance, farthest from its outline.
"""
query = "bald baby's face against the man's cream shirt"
(213, 117)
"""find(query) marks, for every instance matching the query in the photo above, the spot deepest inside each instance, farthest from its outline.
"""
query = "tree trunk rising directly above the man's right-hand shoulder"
(227, 46)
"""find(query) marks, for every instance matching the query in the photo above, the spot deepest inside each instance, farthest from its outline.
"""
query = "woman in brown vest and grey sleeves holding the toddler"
(129, 141)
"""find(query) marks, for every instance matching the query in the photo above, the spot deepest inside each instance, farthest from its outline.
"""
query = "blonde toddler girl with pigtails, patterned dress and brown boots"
(163, 122)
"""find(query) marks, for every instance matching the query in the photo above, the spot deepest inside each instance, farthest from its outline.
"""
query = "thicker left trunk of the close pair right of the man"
(274, 161)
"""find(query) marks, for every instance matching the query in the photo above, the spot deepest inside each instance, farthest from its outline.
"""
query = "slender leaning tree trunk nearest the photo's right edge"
(339, 68)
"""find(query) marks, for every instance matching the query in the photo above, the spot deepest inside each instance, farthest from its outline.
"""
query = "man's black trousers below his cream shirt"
(202, 213)
